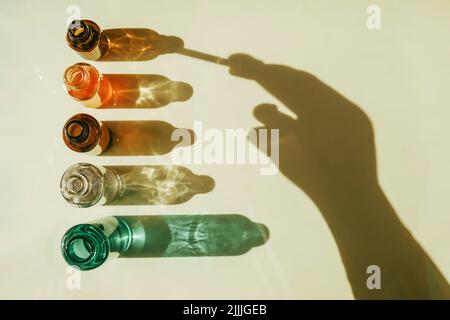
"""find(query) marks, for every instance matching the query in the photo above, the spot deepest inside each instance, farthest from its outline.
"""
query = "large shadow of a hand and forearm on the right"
(329, 152)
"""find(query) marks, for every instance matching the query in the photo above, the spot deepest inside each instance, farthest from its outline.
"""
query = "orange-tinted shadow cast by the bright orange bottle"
(142, 91)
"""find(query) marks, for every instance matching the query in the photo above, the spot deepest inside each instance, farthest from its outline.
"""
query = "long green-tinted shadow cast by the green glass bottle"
(193, 235)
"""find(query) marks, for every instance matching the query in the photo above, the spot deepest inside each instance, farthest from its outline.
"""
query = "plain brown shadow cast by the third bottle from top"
(143, 138)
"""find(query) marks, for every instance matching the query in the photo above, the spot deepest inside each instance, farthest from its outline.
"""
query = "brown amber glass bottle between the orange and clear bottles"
(83, 133)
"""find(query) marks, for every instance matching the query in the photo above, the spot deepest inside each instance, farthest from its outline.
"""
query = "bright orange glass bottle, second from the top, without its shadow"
(86, 84)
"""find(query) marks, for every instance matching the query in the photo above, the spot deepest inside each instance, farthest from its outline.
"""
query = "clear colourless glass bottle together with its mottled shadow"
(84, 185)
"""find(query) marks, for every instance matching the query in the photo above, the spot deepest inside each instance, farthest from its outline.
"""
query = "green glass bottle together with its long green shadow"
(87, 246)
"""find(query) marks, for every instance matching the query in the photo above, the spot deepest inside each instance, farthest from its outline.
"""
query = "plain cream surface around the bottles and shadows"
(398, 75)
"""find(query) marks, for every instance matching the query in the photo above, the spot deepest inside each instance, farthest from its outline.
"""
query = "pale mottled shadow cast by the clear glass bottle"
(158, 185)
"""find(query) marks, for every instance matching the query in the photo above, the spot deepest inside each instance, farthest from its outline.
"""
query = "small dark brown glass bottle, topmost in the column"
(84, 36)
